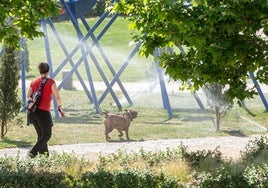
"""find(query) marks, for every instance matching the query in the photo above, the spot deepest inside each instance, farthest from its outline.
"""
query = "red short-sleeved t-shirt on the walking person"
(45, 102)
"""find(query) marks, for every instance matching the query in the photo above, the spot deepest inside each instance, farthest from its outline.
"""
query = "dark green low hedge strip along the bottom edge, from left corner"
(97, 179)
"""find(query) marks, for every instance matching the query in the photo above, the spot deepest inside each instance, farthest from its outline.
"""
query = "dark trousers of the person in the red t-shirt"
(42, 122)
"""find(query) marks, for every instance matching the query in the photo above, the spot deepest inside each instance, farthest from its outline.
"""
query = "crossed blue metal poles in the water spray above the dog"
(75, 10)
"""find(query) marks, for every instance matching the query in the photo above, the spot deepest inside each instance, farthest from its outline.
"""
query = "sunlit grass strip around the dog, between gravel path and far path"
(83, 125)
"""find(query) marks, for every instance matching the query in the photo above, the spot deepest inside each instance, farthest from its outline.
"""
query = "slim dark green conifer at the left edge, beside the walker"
(9, 77)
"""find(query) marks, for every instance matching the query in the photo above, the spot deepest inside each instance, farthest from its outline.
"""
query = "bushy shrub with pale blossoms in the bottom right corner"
(249, 172)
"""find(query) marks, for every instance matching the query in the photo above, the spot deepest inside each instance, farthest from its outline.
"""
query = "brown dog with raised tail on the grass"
(121, 122)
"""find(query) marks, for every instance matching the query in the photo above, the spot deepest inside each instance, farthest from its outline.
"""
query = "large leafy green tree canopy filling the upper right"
(224, 40)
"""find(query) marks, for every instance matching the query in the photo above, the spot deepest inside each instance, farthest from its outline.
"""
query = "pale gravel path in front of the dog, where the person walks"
(229, 146)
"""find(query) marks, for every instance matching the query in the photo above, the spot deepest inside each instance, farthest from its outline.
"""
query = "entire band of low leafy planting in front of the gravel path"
(54, 171)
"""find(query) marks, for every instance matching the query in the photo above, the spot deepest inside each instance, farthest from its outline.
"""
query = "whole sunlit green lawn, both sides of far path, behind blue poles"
(83, 125)
